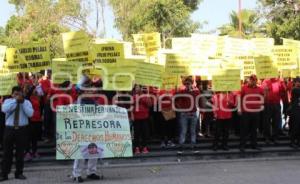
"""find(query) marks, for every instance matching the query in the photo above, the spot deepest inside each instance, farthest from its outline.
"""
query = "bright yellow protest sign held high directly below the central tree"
(148, 42)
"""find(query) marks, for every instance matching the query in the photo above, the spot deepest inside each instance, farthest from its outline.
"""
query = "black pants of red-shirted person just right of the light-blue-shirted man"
(34, 135)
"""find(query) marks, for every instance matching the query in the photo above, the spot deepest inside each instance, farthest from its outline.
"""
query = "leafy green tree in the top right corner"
(282, 18)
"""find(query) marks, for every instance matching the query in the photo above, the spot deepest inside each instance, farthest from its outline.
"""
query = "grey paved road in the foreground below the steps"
(228, 172)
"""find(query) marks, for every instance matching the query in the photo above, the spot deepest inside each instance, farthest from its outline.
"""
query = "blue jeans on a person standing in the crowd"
(187, 120)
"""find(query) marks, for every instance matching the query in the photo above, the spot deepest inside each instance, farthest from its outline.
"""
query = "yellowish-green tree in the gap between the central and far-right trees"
(250, 25)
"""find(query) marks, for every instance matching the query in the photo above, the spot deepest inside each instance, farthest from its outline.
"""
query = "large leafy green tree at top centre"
(169, 17)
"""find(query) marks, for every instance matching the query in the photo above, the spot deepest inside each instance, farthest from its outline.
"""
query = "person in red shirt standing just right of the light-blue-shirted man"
(35, 127)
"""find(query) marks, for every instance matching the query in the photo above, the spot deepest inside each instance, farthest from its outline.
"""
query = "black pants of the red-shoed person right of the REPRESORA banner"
(141, 133)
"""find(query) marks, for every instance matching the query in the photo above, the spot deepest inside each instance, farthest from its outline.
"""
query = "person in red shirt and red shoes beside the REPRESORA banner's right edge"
(140, 116)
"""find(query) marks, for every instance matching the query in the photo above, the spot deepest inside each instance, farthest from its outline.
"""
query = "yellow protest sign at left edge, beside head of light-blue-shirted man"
(7, 81)
